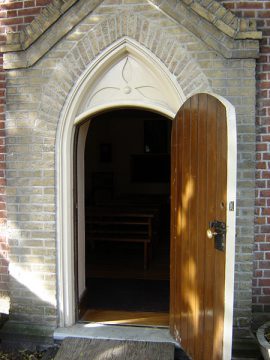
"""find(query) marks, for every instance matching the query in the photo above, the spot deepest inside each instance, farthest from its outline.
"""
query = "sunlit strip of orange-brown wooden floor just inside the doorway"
(120, 317)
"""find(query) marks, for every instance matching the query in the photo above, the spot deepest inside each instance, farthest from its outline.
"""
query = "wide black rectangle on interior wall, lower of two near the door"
(150, 168)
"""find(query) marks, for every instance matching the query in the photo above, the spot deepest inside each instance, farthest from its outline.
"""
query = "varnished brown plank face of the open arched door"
(198, 193)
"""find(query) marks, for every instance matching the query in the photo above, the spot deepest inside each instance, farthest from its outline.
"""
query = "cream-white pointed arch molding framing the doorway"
(73, 113)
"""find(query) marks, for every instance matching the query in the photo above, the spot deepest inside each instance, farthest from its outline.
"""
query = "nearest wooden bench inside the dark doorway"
(118, 224)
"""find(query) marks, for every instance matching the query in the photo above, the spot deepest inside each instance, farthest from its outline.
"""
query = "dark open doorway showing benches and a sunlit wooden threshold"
(127, 219)
